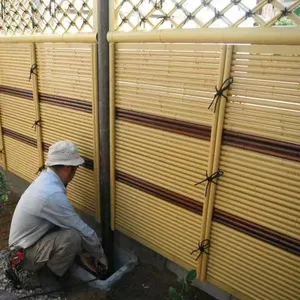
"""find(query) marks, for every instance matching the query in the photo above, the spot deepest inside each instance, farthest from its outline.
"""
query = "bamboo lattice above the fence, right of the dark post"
(164, 14)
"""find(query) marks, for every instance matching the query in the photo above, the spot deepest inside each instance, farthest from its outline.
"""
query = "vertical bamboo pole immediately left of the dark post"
(96, 130)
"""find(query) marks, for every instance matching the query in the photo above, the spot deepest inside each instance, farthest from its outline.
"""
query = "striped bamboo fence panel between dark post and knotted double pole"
(162, 140)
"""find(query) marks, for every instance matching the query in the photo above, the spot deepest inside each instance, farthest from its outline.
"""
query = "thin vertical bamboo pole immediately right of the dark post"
(112, 132)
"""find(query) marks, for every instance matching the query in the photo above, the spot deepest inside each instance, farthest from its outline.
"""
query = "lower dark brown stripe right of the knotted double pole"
(262, 233)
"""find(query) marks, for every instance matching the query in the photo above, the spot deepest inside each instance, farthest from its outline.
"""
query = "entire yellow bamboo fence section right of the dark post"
(166, 138)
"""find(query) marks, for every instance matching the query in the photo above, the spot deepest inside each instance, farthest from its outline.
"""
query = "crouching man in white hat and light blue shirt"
(45, 226)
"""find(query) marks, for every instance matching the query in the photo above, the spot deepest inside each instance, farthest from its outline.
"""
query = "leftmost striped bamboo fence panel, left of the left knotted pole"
(17, 110)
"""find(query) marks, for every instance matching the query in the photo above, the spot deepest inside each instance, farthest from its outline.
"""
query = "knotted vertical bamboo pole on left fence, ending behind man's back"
(35, 90)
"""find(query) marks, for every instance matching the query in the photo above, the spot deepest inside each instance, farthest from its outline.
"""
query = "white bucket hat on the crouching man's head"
(64, 153)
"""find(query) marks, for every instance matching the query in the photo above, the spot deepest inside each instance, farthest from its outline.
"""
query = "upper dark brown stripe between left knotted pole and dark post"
(66, 102)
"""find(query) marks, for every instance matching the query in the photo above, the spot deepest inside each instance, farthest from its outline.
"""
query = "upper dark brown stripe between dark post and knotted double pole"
(166, 124)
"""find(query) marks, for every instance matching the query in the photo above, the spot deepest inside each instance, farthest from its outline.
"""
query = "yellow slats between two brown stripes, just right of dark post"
(169, 160)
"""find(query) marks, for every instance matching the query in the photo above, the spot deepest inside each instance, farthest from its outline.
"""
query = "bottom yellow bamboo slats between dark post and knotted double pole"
(171, 229)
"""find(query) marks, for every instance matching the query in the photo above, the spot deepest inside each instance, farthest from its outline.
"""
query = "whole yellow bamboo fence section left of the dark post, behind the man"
(61, 79)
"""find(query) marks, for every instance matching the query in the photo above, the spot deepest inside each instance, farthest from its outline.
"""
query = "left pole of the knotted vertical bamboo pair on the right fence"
(212, 150)
